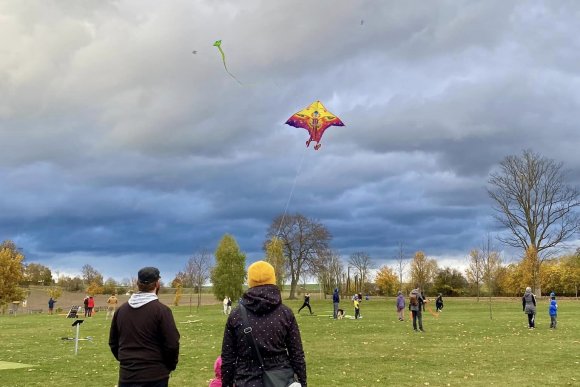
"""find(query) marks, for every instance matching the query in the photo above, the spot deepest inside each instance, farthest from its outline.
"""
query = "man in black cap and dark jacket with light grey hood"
(143, 336)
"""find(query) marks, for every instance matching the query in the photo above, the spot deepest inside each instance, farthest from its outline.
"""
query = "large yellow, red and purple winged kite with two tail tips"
(315, 119)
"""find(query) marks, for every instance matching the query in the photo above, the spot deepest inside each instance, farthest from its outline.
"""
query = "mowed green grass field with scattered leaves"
(462, 347)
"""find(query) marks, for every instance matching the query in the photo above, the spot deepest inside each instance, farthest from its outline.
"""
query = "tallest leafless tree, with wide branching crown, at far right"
(533, 202)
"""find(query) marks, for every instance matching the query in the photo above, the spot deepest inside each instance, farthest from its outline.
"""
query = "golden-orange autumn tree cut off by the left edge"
(11, 273)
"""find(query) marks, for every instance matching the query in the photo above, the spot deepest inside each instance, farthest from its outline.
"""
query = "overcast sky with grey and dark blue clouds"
(124, 142)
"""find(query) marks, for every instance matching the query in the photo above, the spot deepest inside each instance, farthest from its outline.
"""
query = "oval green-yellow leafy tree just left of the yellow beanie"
(229, 273)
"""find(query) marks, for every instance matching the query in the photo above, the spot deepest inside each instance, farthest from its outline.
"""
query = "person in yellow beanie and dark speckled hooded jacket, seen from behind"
(274, 328)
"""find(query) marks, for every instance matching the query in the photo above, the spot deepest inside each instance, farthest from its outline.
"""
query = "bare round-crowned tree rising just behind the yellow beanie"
(303, 240)
